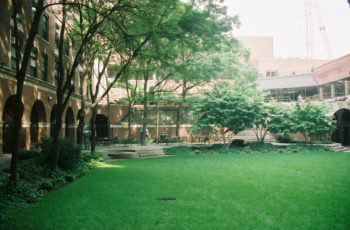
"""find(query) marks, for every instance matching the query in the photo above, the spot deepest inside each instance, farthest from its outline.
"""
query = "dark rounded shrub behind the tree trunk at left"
(69, 152)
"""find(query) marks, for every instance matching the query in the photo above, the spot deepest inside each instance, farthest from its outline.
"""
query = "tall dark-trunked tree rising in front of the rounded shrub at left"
(65, 86)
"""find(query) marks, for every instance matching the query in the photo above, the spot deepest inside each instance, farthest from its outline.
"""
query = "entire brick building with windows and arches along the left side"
(39, 94)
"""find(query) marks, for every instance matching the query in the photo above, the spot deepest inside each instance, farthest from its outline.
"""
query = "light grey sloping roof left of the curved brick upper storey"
(285, 82)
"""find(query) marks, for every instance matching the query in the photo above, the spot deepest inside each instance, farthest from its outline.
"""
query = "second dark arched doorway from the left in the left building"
(37, 115)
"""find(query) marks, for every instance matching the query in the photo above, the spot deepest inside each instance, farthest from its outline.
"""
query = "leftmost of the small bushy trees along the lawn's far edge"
(228, 109)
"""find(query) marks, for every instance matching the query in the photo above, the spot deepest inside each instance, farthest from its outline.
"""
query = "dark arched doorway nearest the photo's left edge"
(8, 117)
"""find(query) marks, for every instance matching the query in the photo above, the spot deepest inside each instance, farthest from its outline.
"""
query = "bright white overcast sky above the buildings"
(284, 21)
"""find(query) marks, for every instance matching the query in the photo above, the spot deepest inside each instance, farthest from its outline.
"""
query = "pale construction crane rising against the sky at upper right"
(310, 7)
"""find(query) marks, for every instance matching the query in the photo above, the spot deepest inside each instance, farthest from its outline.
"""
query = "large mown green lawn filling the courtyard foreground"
(235, 191)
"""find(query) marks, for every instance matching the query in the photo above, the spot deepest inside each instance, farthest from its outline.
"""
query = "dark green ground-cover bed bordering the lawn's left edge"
(36, 178)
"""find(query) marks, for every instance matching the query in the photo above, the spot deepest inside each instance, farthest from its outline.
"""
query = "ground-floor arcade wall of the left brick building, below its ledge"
(33, 92)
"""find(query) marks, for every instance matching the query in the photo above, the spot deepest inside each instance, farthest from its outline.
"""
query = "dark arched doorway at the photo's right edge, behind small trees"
(342, 131)
